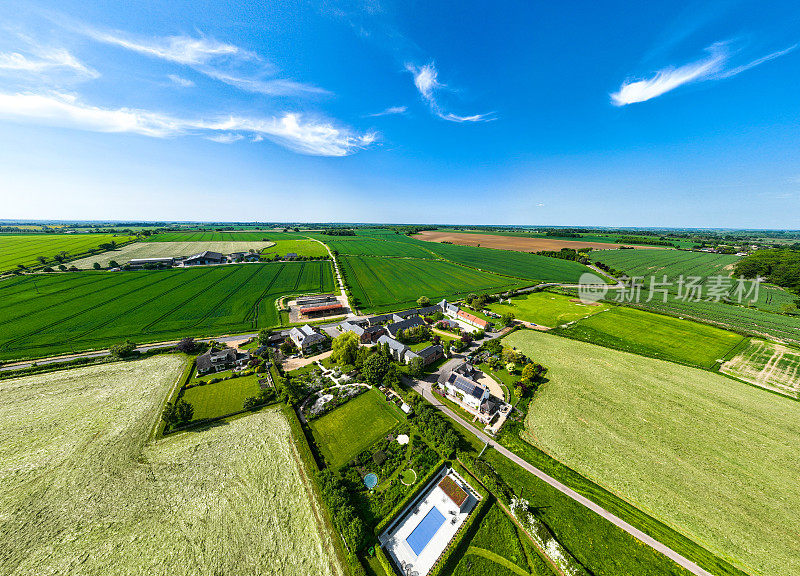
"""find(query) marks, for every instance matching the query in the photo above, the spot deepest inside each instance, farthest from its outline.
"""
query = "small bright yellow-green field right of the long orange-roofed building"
(547, 309)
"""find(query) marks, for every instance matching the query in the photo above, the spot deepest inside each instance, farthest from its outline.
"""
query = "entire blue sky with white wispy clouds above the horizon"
(612, 113)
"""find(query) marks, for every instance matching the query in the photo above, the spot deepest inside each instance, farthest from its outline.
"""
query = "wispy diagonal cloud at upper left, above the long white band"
(221, 61)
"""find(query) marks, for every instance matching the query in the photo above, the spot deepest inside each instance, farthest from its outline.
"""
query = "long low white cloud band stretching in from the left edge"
(293, 131)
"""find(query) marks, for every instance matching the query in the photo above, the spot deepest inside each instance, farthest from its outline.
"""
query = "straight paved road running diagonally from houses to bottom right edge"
(424, 388)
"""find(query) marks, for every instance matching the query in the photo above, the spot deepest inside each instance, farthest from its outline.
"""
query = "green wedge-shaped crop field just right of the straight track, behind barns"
(383, 283)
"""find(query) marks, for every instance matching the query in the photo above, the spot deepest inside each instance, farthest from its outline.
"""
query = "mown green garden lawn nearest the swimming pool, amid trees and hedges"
(349, 429)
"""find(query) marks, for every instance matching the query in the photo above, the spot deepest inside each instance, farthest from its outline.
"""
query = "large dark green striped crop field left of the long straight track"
(47, 314)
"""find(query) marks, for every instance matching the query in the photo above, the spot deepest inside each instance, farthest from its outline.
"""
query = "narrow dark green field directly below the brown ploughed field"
(509, 263)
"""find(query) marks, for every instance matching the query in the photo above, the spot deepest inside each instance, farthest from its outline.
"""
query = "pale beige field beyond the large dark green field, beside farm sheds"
(165, 250)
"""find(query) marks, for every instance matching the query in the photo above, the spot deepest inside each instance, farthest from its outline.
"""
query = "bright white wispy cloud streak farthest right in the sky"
(715, 66)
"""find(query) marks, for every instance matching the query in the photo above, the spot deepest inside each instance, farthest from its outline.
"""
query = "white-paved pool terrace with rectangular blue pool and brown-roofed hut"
(426, 526)
